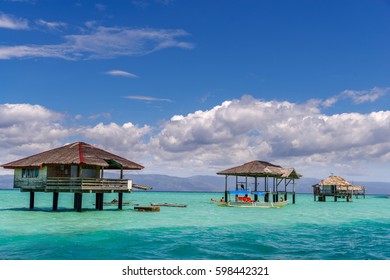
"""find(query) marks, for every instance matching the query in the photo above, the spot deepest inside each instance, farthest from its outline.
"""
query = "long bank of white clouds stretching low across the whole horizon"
(203, 142)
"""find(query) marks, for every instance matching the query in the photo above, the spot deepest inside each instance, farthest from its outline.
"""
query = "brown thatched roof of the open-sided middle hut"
(259, 168)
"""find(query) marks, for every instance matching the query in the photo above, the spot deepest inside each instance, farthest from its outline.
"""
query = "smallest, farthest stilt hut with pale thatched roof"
(337, 187)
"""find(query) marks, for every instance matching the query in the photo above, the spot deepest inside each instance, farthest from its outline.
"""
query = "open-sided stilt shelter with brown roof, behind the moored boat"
(268, 171)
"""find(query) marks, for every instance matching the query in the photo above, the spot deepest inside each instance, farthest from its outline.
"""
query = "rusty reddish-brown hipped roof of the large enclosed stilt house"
(78, 153)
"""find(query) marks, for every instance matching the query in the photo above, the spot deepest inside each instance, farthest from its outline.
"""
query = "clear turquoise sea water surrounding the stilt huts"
(307, 230)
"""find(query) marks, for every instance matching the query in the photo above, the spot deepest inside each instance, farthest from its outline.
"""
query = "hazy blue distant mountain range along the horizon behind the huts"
(212, 183)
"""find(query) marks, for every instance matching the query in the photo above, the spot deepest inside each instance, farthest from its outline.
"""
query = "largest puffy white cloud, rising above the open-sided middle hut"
(296, 134)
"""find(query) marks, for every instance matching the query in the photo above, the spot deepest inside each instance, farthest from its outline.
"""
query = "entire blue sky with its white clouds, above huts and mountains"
(193, 87)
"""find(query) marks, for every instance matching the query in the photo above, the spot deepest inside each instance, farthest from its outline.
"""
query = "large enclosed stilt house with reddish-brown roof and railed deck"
(75, 168)
